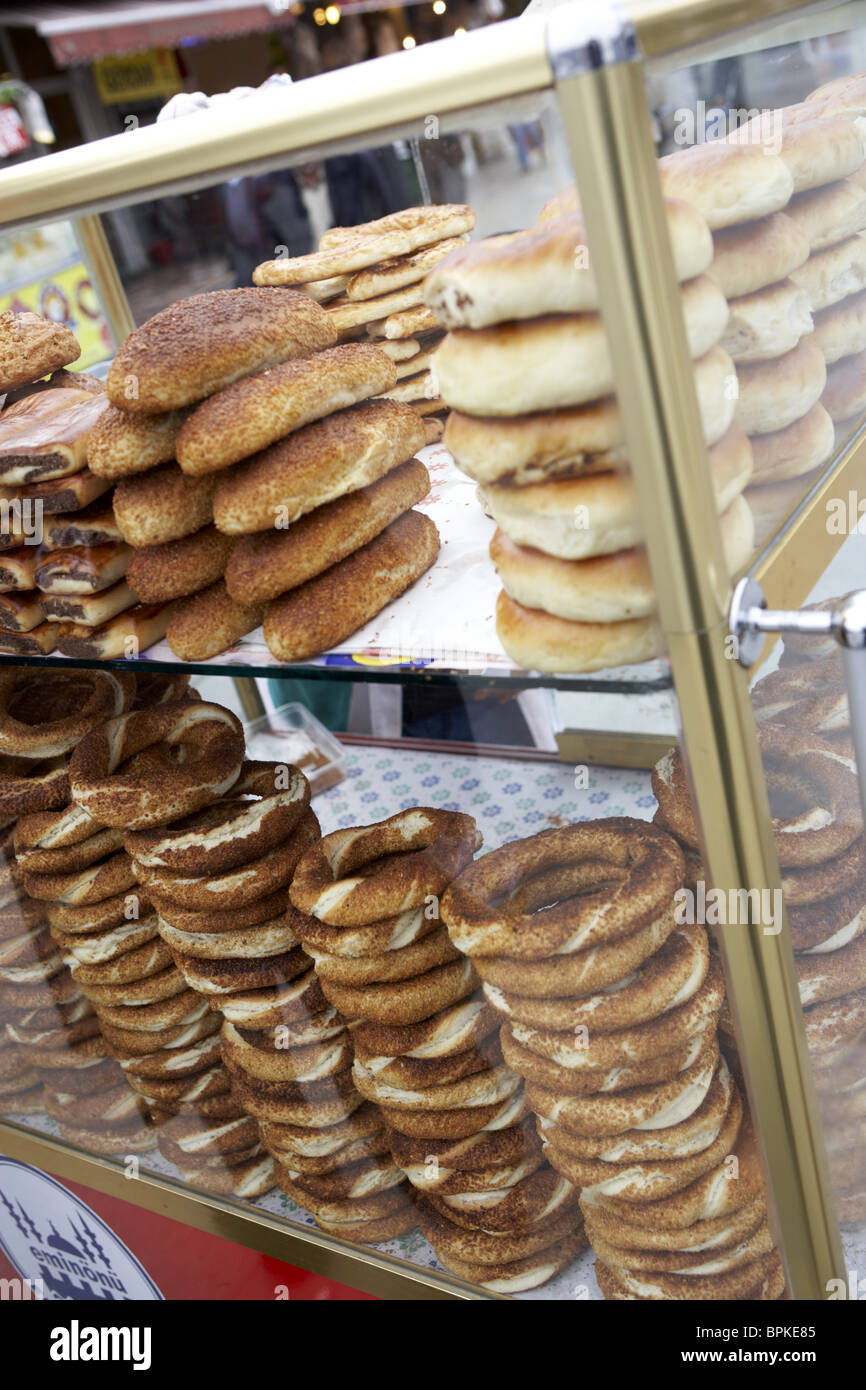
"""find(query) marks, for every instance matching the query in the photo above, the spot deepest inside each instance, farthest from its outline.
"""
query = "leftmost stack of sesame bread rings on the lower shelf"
(44, 718)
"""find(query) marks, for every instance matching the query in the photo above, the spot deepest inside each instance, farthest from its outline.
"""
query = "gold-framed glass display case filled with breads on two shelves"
(571, 1000)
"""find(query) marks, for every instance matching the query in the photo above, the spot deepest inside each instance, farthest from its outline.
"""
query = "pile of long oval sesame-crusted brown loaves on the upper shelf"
(233, 416)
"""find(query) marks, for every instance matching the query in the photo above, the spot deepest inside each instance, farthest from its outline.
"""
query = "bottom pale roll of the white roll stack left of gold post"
(543, 643)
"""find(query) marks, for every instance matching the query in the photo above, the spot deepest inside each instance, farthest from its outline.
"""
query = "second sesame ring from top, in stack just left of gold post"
(586, 972)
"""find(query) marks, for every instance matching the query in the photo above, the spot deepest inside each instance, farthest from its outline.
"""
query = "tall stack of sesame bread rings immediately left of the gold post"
(611, 1015)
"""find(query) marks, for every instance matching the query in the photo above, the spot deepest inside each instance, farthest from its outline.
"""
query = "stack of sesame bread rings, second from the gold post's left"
(366, 906)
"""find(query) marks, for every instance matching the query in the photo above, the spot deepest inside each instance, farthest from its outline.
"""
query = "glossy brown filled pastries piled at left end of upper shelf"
(62, 557)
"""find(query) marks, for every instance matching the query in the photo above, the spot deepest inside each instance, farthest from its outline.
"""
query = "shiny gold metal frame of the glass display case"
(605, 113)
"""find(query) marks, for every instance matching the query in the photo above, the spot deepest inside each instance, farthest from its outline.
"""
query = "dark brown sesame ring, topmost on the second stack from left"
(212, 742)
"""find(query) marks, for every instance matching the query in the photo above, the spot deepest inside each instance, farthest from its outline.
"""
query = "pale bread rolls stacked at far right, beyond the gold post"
(797, 288)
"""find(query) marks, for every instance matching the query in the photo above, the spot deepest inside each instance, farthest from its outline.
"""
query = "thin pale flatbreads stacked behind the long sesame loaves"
(370, 281)
